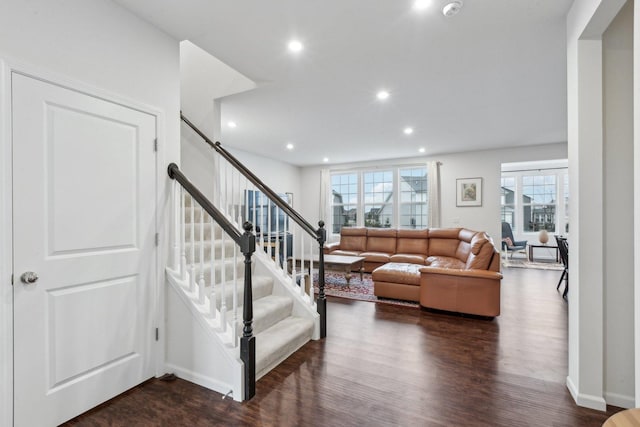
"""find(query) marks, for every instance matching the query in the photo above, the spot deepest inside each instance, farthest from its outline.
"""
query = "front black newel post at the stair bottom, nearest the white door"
(248, 341)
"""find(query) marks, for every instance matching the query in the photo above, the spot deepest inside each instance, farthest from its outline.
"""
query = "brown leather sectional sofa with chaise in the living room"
(452, 269)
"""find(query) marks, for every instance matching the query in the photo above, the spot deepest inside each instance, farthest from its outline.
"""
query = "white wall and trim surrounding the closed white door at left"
(92, 44)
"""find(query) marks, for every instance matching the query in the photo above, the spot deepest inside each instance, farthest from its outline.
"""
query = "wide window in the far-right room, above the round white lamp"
(539, 202)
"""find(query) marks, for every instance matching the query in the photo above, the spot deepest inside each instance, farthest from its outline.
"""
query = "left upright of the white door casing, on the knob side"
(6, 252)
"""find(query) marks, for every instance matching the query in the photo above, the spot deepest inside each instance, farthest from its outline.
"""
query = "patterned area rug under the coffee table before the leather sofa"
(335, 285)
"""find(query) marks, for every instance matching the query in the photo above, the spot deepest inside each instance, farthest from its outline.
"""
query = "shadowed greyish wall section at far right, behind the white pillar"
(617, 63)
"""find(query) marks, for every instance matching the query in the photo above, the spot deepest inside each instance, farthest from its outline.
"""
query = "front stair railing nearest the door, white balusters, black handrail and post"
(206, 292)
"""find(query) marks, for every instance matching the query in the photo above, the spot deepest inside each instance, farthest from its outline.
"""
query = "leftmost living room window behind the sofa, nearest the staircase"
(344, 188)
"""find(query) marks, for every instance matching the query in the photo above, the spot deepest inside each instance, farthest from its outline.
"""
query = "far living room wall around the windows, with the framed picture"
(484, 164)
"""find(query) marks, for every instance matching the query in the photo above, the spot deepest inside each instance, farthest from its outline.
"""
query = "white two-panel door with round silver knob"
(84, 222)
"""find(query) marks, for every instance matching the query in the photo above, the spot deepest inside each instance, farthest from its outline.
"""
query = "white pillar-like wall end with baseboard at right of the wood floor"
(586, 22)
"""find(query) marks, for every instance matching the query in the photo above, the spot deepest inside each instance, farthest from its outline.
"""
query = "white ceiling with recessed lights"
(492, 76)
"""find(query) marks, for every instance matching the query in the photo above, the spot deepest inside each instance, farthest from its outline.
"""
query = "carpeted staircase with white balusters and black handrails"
(234, 312)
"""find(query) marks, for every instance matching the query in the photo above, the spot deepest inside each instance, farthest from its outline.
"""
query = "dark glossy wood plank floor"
(384, 365)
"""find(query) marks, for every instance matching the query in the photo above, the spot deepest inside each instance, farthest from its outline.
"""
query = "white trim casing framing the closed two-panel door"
(8, 66)
